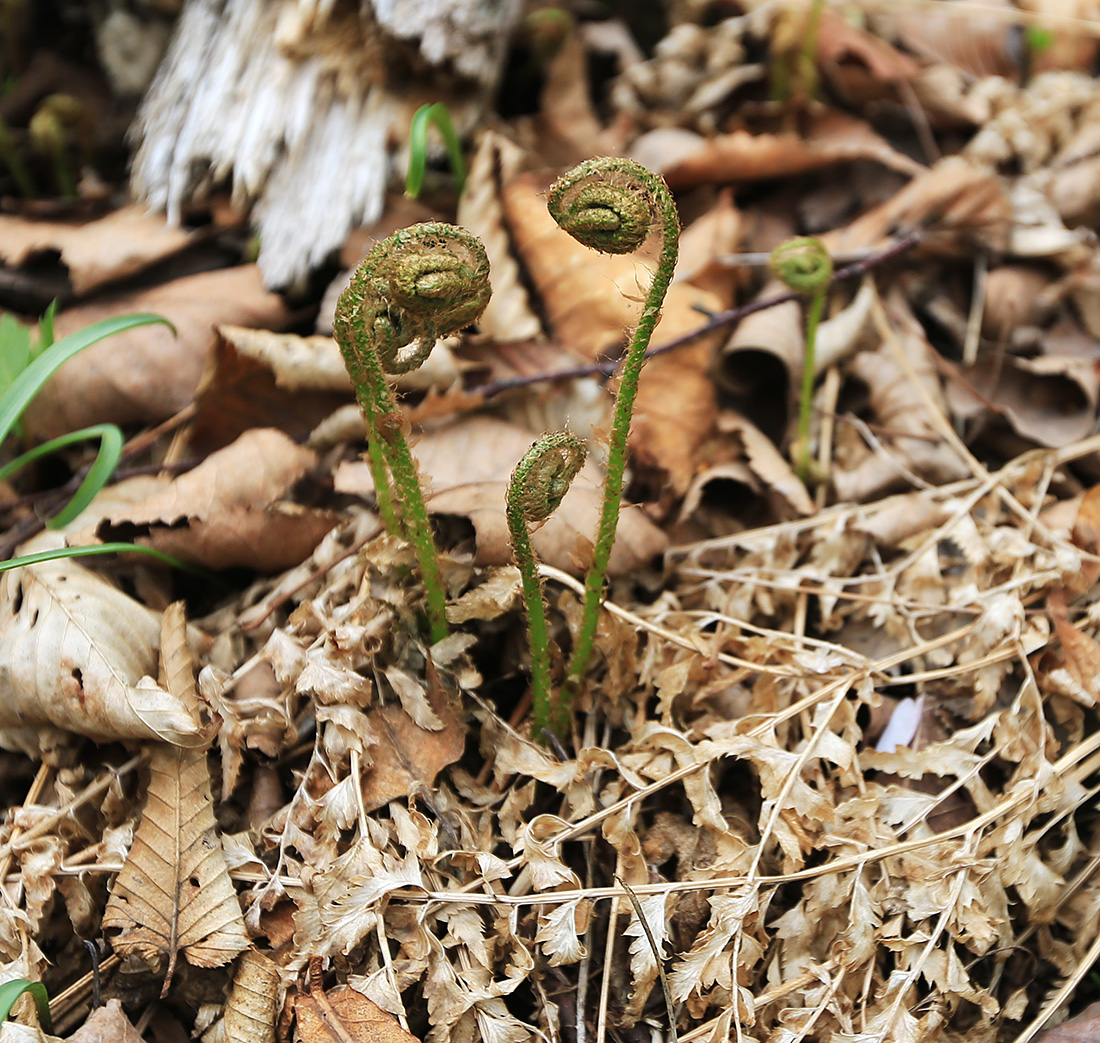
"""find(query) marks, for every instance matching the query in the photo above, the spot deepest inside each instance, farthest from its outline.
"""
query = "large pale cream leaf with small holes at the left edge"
(79, 654)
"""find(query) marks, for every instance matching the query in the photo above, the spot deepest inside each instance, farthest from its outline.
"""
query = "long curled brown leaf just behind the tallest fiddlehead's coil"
(688, 160)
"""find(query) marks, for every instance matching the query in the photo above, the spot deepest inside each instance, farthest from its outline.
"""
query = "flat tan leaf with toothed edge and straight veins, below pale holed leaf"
(174, 894)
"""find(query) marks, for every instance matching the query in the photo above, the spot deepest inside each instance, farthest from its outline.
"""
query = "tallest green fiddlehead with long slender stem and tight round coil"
(611, 205)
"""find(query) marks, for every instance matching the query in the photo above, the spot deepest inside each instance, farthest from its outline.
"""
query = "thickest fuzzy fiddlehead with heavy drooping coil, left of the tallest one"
(422, 283)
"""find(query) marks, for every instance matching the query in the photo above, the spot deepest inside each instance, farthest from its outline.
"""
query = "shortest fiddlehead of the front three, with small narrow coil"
(538, 485)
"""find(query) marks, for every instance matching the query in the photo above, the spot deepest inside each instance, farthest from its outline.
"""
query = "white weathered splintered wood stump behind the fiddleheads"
(298, 104)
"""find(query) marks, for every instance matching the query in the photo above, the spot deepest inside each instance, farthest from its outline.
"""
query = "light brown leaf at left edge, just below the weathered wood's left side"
(123, 244)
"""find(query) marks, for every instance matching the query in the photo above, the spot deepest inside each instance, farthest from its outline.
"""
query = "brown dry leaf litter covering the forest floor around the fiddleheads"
(834, 776)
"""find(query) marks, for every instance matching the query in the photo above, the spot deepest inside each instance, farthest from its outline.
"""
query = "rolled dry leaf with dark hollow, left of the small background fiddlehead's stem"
(762, 364)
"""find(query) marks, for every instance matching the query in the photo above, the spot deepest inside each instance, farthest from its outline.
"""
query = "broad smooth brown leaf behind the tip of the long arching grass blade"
(147, 375)
